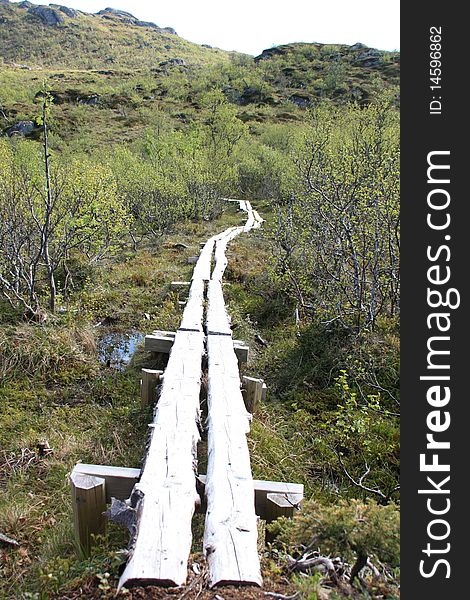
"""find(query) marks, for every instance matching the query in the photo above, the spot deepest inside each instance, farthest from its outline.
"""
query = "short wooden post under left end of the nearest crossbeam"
(89, 504)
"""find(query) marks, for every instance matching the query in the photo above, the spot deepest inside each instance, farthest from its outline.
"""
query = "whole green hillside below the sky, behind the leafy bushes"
(114, 77)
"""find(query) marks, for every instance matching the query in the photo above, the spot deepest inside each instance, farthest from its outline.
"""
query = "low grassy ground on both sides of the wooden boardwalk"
(55, 391)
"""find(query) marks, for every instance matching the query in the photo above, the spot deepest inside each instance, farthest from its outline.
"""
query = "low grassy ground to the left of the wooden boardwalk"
(56, 394)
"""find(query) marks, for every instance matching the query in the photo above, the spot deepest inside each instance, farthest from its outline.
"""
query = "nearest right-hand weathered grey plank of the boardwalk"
(230, 529)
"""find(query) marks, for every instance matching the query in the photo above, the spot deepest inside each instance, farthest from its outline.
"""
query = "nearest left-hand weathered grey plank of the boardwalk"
(167, 488)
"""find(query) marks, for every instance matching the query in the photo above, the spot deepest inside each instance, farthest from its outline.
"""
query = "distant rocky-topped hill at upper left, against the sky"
(56, 36)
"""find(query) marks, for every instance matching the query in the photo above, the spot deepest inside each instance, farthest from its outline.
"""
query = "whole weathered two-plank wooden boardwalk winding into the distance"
(165, 497)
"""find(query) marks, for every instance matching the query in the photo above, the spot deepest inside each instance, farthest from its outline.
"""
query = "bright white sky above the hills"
(252, 25)
